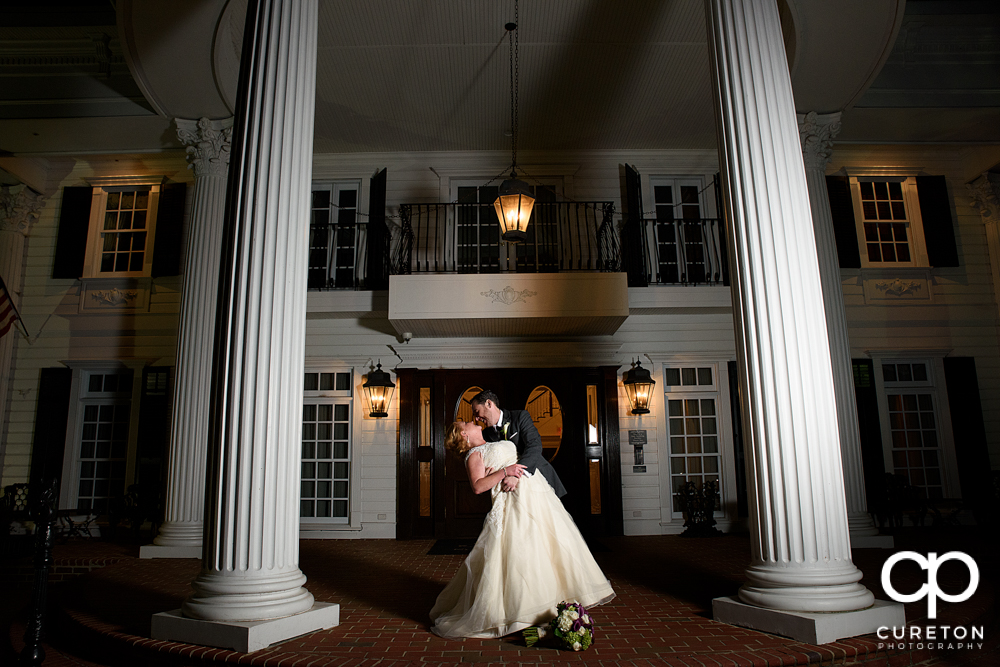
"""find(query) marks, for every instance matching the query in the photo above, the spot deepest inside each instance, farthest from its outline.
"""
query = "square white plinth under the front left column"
(243, 636)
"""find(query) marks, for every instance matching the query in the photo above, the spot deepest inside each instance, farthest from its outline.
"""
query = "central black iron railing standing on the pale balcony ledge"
(465, 238)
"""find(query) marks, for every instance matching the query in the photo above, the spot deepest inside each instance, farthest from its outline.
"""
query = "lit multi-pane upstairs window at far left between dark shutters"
(122, 227)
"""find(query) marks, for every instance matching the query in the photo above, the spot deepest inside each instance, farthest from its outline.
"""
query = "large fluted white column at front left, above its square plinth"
(250, 565)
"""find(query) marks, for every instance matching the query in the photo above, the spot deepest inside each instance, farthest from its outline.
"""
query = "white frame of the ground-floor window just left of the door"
(336, 397)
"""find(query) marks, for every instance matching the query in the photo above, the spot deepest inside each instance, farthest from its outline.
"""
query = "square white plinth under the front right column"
(808, 627)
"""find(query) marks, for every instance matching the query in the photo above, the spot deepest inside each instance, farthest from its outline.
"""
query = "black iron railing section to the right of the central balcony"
(687, 252)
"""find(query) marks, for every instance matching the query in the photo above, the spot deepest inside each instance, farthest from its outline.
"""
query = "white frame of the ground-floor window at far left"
(79, 398)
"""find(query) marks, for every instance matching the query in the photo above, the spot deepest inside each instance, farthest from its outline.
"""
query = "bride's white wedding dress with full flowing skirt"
(529, 557)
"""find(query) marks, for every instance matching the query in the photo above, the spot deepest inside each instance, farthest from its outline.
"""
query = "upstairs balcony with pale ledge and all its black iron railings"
(449, 275)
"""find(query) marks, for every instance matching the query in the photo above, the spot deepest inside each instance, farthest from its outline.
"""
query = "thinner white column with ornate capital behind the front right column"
(816, 132)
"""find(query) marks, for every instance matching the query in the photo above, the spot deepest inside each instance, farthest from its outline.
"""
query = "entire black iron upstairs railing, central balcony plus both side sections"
(562, 236)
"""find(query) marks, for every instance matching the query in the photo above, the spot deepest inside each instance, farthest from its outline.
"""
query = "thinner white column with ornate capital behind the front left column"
(208, 144)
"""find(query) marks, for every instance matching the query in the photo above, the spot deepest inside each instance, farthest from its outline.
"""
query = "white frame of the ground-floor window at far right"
(935, 385)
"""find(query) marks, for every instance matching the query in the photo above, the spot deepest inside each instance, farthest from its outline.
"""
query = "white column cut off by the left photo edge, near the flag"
(19, 209)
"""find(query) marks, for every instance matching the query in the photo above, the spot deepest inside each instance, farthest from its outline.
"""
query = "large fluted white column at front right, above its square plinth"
(801, 558)
